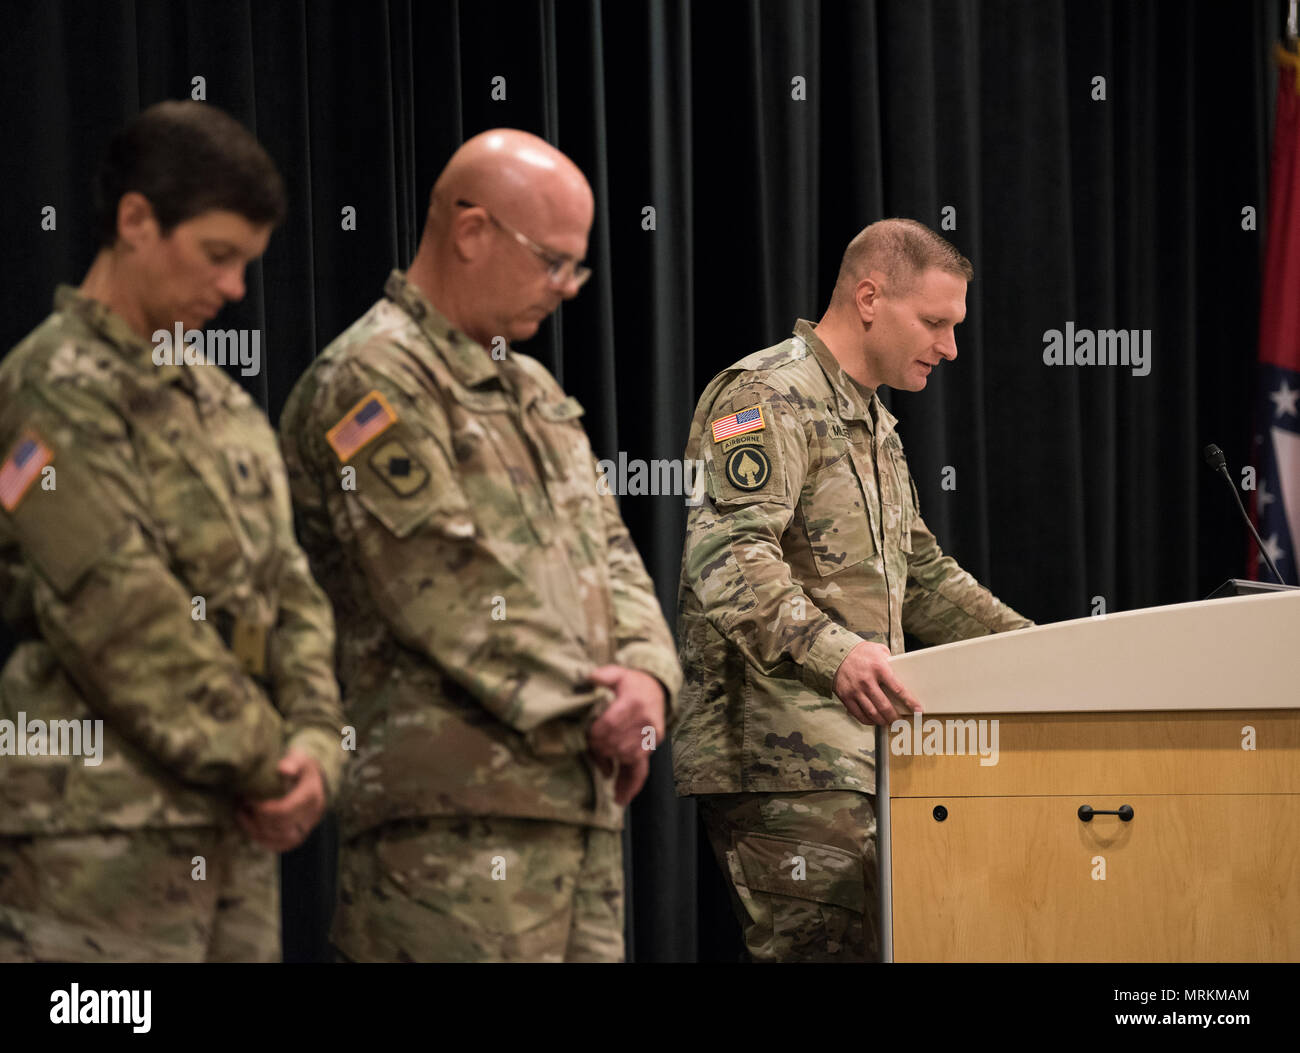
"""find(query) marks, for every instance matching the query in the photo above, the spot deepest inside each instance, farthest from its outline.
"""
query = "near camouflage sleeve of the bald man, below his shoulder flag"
(454, 580)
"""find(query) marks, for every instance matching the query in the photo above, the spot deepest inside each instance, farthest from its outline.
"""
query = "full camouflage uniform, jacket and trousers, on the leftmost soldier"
(159, 487)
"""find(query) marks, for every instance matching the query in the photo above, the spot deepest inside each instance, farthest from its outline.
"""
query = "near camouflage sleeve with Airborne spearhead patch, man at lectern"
(734, 544)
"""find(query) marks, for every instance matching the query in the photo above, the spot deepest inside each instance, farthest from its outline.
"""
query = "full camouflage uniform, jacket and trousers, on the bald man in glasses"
(449, 505)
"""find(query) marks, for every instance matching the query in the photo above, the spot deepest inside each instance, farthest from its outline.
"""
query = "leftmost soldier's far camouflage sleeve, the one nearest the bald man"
(302, 660)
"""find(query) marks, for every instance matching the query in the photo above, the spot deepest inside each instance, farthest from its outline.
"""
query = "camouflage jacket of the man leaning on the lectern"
(808, 543)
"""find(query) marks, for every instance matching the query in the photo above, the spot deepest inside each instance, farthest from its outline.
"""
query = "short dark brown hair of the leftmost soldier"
(187, 159)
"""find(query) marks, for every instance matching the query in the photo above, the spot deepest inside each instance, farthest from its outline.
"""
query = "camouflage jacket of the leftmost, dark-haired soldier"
(146, 528)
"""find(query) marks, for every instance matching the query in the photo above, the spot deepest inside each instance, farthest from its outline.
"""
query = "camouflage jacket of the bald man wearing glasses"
(449, 505)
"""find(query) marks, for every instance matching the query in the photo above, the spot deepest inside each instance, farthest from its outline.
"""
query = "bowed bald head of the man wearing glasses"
(508, 228)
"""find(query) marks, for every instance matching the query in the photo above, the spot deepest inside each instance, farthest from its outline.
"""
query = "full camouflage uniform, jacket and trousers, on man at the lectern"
(809, 543)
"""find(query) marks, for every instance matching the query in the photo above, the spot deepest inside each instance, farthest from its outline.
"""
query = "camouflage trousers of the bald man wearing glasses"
(480, 890)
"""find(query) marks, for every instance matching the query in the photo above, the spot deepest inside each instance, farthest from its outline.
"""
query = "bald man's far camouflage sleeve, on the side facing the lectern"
(643, 638)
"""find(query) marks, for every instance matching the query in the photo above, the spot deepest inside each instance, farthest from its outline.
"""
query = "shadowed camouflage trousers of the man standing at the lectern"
(803, 873)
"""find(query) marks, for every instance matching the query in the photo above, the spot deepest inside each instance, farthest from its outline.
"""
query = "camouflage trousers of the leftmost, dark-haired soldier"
(137, 896)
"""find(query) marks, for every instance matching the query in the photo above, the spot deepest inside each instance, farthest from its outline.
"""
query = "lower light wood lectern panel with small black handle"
(1190, 878)
